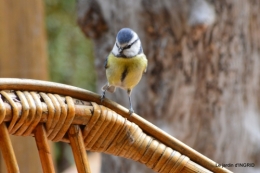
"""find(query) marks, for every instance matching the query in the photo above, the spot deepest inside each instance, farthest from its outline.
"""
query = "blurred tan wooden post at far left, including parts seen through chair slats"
(23, 55)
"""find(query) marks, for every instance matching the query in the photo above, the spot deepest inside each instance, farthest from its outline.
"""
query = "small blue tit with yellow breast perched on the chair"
(125, 64)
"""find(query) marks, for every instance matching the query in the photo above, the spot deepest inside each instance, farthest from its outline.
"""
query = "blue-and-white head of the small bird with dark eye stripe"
(127, 44)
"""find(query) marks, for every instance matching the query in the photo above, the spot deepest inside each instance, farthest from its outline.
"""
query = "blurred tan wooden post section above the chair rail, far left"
(23, 40)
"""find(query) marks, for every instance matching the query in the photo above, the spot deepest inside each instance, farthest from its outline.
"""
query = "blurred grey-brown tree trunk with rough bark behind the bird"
(203, 79)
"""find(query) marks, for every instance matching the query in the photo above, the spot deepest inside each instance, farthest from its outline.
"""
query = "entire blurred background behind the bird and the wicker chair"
(203, 80)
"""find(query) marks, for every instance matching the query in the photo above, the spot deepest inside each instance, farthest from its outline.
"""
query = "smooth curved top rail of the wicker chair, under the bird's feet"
(147, 127)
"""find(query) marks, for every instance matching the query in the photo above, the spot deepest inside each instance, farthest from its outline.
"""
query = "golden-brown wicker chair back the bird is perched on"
(57, 112)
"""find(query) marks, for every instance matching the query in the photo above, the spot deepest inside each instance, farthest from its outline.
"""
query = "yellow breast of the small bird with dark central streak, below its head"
(125, 72)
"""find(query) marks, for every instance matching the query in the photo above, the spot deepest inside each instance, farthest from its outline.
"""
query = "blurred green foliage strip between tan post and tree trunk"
(71, 58)
